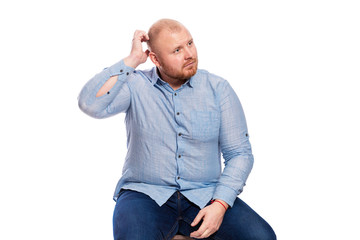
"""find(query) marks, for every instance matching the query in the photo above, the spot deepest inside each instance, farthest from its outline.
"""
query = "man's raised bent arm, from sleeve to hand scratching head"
(107, 92)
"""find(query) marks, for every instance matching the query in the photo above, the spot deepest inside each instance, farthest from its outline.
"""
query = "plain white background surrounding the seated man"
(294, 65)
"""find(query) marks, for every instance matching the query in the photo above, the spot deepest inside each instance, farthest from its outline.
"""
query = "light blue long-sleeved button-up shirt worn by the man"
(175, 137)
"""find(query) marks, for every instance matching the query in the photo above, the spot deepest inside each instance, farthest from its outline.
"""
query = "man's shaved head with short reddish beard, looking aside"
(172, 50)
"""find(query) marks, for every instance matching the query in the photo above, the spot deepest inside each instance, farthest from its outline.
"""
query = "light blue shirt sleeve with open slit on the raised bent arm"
(115, 101)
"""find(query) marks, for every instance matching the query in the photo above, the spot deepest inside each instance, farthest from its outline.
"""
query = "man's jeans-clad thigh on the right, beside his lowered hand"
(242, 222)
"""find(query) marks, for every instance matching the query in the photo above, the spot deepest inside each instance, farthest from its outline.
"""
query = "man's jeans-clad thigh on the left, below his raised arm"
(138, 217)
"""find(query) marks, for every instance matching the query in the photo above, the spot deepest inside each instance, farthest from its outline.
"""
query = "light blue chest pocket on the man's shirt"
(205, 125)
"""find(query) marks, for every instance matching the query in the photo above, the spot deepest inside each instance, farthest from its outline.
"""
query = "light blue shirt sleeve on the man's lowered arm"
(235, 147)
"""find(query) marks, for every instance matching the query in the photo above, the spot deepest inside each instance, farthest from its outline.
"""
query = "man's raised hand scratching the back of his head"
(137, 55)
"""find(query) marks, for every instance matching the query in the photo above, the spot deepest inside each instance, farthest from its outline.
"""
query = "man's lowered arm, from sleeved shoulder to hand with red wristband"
(238, 158)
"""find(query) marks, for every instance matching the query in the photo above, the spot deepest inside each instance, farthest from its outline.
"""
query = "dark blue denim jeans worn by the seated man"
(138, 217)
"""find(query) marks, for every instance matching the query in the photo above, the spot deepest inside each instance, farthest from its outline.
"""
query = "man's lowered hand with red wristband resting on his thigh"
(212, 216)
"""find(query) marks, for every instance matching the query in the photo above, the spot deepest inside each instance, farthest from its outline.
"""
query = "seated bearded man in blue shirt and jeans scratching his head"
(179, 120)
